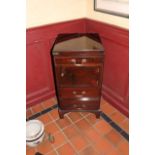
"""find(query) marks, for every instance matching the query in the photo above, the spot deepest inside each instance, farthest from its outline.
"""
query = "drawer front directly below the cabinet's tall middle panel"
(67, 93)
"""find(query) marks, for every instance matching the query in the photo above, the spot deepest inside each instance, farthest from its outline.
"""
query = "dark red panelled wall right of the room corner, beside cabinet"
(116, 68)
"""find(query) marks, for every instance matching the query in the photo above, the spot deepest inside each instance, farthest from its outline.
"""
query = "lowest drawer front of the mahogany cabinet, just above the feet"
(79, 105)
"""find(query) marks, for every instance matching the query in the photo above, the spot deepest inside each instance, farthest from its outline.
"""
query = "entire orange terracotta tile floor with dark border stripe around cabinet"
(80, 133)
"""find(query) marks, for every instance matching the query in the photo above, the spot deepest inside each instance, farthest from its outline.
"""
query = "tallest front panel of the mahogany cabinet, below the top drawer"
(78, 76)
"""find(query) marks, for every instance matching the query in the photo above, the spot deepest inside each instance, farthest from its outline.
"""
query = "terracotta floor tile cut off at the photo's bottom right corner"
(124, 147)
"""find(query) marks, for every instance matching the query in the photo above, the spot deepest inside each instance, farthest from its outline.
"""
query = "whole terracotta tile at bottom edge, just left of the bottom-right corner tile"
(103, 146)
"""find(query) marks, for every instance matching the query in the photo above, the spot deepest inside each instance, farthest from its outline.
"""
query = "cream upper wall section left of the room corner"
(42, 12)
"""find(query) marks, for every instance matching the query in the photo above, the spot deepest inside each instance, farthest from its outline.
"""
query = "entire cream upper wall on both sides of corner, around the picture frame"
(42, 12)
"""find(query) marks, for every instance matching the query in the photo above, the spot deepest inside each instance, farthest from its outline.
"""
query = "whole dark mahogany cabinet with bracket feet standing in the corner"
(77, 61)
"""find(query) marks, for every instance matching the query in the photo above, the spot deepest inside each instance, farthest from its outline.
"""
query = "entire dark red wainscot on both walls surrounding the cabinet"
(116, 71)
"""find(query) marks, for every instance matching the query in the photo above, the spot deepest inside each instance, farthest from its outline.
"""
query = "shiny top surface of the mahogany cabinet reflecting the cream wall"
(77, 42)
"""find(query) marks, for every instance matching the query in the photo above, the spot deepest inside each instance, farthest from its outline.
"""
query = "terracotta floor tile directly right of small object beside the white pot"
(59, 139)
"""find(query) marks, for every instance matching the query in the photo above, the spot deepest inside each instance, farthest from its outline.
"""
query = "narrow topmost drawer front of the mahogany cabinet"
(78, 60)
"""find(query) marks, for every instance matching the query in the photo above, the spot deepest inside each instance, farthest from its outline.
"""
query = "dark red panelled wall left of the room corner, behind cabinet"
(39, 78)
